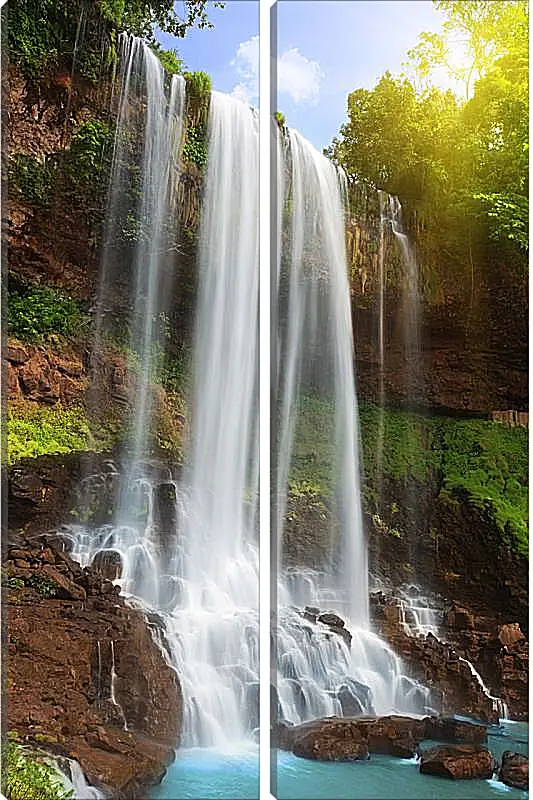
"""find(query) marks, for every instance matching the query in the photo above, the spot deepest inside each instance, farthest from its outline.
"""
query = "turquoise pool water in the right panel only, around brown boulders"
(386, 778)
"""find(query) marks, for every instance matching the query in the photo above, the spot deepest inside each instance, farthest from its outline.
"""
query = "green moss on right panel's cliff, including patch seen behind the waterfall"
(476, 460)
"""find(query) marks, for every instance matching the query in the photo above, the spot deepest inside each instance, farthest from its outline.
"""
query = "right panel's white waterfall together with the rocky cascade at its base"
(318, 673)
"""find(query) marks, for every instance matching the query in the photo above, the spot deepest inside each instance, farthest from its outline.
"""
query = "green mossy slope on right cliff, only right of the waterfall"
(485, 461)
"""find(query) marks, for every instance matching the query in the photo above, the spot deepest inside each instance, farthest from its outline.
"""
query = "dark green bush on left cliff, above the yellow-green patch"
(36, 313)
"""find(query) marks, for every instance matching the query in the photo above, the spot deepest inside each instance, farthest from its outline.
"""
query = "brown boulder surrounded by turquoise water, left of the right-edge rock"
(457, 761)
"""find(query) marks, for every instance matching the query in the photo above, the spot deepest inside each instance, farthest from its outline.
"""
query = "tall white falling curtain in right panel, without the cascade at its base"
(316, 359)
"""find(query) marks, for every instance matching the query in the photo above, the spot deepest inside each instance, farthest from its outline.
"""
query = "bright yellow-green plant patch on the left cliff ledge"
(34, 430)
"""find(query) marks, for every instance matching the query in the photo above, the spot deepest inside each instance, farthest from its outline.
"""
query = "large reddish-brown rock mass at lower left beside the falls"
(68, 628)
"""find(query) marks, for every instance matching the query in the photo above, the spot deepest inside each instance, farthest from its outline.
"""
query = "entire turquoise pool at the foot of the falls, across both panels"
(208, 774)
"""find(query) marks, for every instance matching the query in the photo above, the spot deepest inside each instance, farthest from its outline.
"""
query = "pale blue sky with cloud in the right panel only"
(353, 42)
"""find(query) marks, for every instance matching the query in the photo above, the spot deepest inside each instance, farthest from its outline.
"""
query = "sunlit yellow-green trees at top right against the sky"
(463, 164)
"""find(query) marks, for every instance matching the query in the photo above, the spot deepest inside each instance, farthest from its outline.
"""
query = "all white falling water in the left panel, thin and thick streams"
(188, 549)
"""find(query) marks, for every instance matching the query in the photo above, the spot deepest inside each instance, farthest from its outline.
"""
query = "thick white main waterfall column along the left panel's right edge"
(214, 628)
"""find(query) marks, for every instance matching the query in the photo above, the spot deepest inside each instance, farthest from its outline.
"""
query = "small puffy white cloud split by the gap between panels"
(298, 76)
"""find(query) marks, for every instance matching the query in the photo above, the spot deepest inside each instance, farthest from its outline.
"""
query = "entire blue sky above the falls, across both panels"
(325, 49)
